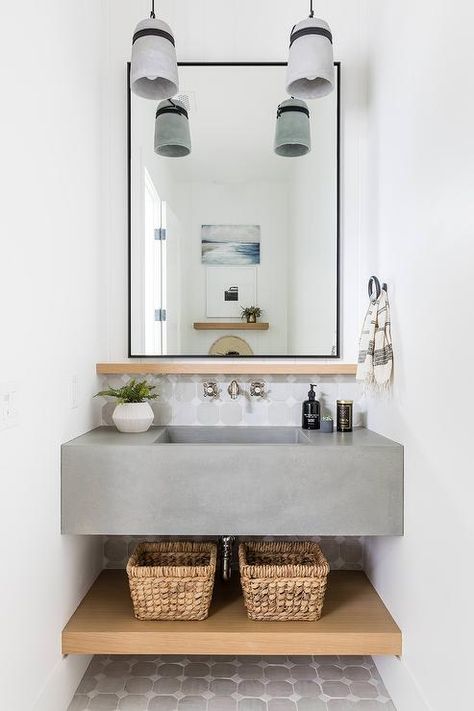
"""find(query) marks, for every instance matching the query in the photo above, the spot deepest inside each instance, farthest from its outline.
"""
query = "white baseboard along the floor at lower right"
(405, 693)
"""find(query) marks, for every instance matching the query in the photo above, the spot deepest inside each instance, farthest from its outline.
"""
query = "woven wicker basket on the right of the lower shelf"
(283, 581)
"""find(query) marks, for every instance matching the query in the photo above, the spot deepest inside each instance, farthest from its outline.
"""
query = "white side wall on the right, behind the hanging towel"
(420, 226)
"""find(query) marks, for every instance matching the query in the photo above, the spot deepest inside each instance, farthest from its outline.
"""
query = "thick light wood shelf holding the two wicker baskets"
(354, 621)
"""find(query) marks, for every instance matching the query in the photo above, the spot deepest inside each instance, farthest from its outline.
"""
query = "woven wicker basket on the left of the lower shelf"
(172, 580)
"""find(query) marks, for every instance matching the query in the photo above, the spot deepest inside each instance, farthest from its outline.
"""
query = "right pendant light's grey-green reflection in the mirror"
(293, 133)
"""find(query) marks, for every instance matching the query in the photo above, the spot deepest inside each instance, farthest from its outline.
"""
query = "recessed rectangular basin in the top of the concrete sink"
(232, 435)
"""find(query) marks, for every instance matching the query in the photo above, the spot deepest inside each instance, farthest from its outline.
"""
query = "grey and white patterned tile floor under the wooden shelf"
(172, 683)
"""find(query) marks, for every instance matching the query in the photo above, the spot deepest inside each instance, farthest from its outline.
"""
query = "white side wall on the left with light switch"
(51, 297)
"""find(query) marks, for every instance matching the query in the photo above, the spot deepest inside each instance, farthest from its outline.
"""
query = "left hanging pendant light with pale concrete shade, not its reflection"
(154, 71)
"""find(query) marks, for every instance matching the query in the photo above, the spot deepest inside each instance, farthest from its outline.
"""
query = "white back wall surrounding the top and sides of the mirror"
(209, 30)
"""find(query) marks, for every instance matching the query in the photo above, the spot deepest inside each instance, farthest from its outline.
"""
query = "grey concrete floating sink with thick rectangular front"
(195, 481)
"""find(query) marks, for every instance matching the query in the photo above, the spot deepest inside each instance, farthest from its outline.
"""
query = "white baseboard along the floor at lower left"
(62, 683)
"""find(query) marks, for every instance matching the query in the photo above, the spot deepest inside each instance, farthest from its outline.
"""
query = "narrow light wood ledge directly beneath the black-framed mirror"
(216, 365)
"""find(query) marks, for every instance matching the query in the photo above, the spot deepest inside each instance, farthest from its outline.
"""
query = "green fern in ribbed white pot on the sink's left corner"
(132, 412)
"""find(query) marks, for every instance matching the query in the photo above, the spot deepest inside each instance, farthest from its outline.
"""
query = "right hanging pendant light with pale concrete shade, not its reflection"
(310, 63)
